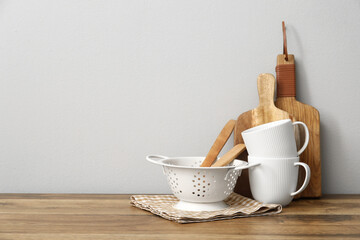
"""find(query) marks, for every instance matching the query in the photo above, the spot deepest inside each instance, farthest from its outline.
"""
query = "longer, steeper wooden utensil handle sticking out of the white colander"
(219, 143)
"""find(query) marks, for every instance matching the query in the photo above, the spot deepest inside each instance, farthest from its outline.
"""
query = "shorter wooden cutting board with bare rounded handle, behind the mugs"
(264, 113)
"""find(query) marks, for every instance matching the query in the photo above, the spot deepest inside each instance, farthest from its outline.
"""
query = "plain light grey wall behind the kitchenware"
(88, 88)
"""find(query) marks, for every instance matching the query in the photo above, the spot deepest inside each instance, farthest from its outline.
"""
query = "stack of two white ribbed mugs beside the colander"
(272, 148)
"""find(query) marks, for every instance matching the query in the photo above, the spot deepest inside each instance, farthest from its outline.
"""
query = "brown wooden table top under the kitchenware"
(94, 216)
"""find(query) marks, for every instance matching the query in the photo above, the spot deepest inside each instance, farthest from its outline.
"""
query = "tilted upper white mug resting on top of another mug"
(274, 139)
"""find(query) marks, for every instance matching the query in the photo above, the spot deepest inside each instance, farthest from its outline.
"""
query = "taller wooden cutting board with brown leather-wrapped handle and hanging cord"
(286, 100)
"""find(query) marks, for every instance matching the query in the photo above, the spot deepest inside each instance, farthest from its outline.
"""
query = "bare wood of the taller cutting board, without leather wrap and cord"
(310, 116)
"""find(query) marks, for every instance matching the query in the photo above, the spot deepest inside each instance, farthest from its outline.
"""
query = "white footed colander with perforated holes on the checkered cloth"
(199, 188)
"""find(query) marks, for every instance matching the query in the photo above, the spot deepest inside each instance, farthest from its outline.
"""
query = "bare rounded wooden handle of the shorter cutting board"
(266, 89)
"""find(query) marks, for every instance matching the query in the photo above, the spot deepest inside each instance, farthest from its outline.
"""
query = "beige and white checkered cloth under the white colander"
(239, 206)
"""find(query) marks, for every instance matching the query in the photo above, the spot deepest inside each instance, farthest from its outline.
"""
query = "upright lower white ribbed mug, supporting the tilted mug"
(274, 180)
